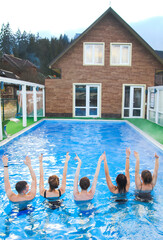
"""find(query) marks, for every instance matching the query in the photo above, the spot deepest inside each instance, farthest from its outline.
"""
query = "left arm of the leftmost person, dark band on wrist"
(9, 192)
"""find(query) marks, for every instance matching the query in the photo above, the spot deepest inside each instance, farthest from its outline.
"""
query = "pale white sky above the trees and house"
(55, 17)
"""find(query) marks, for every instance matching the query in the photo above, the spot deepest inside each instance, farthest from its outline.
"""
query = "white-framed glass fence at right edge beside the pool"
(155, 104)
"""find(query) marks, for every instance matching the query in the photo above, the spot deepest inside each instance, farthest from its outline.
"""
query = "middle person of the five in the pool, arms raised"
(85, 182)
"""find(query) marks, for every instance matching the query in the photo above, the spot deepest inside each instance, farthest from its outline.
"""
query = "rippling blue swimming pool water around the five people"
(102, 218)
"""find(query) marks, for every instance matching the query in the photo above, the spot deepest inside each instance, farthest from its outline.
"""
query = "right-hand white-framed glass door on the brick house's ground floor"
(133, 101)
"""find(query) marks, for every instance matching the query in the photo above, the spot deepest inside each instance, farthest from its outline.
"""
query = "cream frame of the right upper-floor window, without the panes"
(120, 59)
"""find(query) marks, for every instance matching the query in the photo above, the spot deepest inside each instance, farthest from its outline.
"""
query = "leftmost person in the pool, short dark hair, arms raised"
(21, 187)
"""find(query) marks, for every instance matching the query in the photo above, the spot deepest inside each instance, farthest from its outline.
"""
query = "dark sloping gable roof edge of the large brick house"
(131, 30)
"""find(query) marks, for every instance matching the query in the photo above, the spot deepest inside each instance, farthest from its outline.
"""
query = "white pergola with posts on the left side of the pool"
(24, 85)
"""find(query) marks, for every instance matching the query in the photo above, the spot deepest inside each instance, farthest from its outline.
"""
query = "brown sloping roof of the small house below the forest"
(18, 62)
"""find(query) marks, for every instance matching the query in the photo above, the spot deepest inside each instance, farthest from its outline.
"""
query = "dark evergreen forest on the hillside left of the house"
(40, 51)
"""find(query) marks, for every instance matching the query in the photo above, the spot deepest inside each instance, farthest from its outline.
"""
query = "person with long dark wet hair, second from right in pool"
(123, 181)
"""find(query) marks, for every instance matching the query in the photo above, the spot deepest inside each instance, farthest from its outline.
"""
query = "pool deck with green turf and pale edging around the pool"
(148, 129)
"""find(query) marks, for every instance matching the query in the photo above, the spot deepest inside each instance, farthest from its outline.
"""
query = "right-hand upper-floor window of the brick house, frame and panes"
(120, 54)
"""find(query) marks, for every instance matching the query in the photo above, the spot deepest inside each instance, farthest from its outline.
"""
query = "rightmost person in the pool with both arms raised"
(146, 182)
